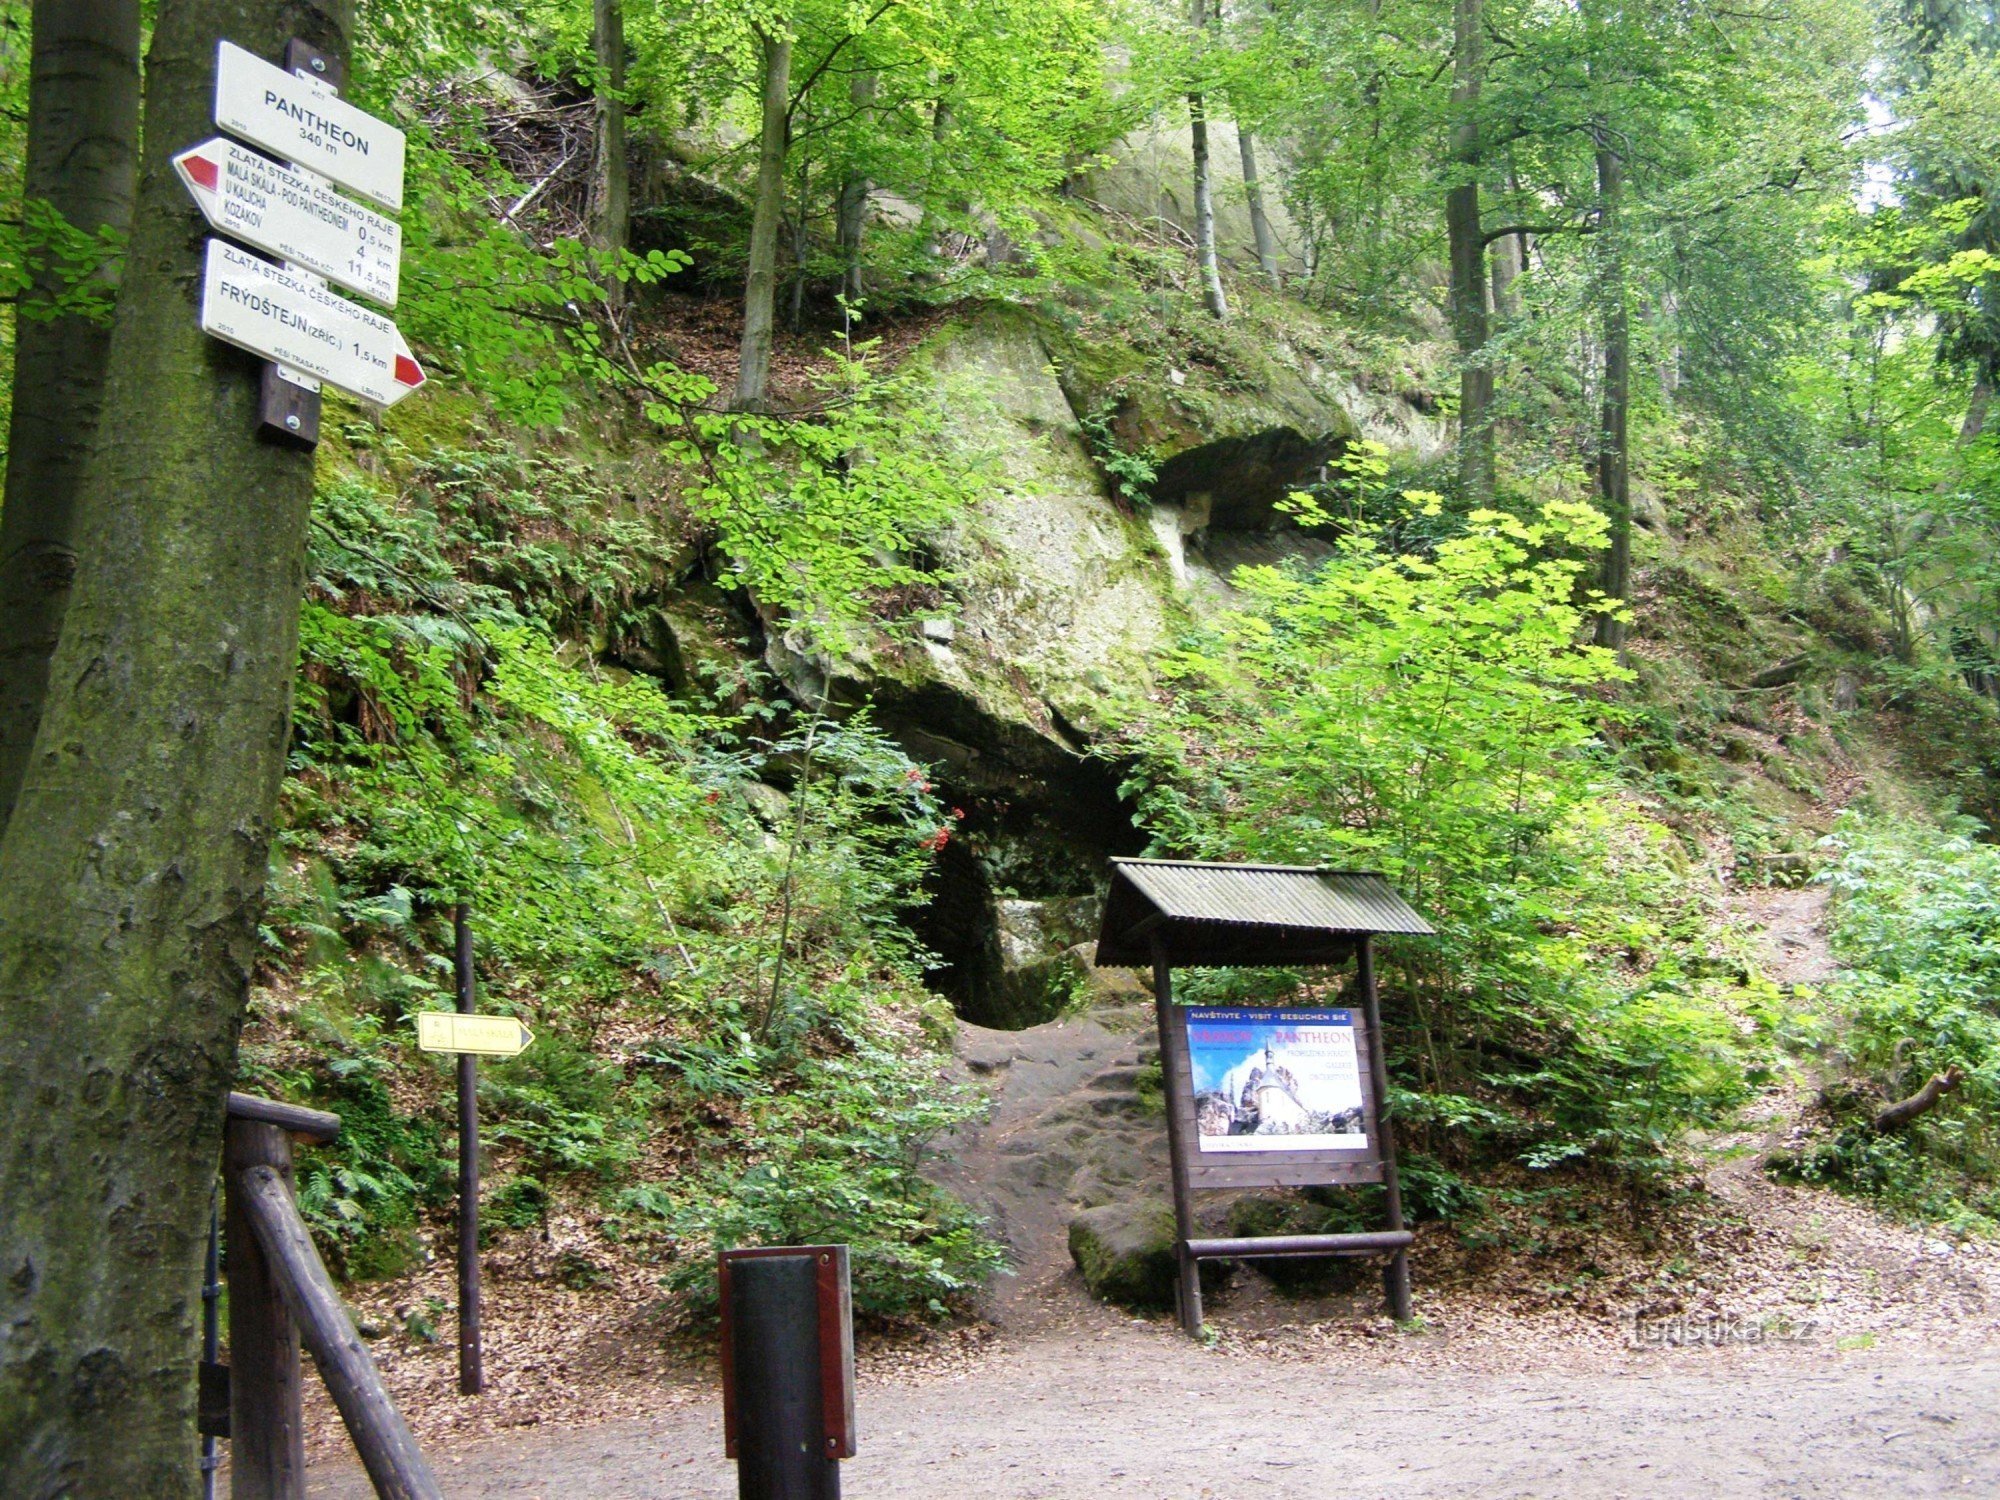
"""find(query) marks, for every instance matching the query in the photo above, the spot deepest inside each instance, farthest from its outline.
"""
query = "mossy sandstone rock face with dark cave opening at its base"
(1063, 595)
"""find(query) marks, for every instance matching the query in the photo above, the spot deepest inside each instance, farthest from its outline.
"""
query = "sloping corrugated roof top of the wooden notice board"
(1273, 895)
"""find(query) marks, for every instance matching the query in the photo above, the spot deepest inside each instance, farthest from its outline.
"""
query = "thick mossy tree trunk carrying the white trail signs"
(133, 871)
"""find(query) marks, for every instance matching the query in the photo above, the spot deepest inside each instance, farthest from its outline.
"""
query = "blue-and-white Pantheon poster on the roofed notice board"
(1277, 1081)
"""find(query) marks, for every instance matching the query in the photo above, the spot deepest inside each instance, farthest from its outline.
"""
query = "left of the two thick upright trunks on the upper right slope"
(1469, 259)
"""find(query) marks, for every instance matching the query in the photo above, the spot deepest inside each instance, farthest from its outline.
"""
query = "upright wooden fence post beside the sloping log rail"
(267, 1425)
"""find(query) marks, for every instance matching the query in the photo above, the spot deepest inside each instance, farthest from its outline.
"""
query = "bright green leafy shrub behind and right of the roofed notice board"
(1431, 715)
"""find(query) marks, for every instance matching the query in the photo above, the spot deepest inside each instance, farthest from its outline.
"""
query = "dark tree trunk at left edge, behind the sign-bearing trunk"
(83, 161)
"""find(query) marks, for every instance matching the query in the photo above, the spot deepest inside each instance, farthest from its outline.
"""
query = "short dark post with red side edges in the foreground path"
(775, 1349)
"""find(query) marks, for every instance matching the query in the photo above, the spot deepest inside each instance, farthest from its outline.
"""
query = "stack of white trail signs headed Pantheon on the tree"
(293, 209)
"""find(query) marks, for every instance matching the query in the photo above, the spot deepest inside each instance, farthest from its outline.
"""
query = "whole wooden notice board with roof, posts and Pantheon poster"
(1267, 1097)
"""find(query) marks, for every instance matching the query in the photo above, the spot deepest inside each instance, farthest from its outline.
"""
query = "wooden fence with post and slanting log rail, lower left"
(279, 1291)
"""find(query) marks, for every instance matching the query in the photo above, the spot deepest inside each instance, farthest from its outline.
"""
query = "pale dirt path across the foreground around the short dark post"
(1143, 1413)
